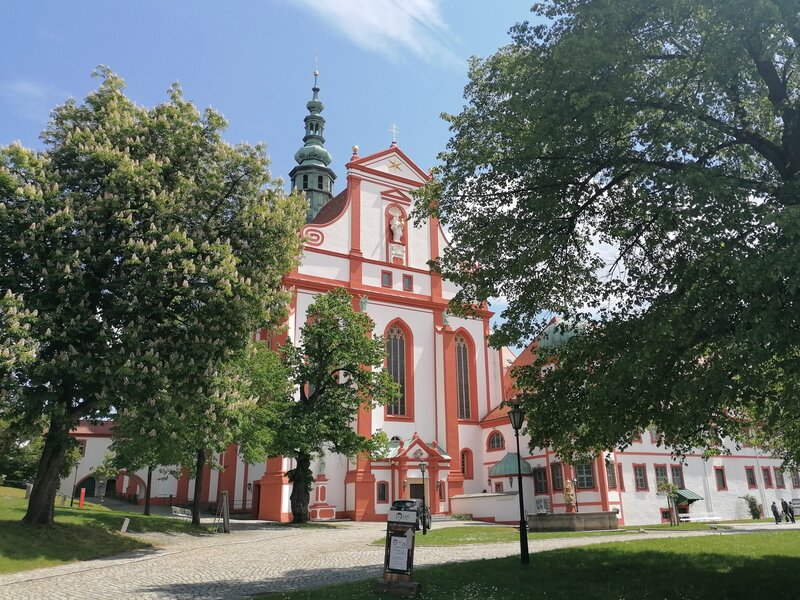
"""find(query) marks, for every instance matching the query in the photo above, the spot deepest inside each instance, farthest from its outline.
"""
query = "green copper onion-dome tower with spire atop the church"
(312, 176)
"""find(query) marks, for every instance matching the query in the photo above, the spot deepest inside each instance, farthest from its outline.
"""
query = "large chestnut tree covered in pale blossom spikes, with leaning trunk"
(151, 250)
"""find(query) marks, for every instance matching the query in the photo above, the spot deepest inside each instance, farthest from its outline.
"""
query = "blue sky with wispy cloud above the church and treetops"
(380, 61)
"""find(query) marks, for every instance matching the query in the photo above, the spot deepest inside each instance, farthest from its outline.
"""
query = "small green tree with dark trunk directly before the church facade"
(337, 368)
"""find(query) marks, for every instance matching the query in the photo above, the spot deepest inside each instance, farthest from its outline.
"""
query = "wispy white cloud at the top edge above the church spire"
(393, 28)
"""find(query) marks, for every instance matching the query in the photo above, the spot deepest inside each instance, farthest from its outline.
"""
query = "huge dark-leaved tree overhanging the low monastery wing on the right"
(640, 162)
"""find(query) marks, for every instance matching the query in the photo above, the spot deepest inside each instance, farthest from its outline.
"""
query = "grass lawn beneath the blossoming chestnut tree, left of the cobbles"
(79, 534)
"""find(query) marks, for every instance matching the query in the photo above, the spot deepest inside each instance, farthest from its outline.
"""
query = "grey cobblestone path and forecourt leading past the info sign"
(256, 558)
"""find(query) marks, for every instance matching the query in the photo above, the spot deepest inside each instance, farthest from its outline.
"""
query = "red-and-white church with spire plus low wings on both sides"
(449, 416)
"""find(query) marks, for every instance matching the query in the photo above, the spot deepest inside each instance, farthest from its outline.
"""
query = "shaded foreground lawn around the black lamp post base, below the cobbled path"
(730, 567)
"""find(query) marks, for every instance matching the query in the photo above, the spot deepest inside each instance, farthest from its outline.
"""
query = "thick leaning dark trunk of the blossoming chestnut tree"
(48, 475)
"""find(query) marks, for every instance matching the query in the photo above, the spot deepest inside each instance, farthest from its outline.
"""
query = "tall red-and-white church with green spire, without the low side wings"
(361, 240)
